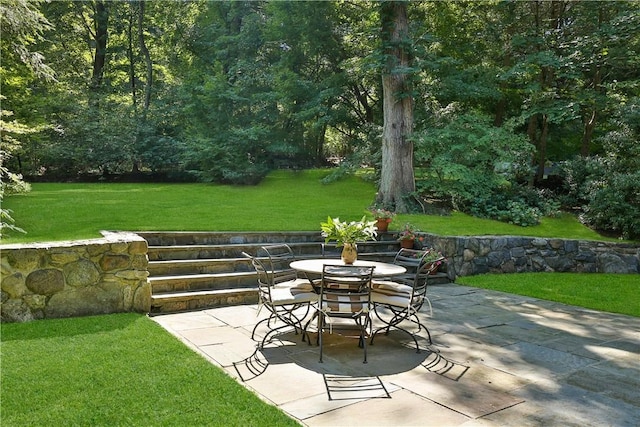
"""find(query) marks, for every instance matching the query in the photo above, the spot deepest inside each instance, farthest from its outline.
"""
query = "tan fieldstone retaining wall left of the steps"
(66, 279)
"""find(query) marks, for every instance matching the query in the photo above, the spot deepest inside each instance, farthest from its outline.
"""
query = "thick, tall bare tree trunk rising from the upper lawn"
(397, 178)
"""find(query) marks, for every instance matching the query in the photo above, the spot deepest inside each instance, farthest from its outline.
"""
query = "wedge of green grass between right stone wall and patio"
(615, 293)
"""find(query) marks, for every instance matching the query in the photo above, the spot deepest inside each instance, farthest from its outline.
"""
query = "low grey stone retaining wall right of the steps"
(502, 254)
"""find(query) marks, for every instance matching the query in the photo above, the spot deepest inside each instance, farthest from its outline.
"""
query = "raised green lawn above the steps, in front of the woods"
(285, 200)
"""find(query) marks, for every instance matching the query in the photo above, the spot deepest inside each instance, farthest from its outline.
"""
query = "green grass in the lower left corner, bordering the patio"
(117, 370)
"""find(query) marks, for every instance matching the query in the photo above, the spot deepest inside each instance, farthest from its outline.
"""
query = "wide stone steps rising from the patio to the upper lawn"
(197, 270)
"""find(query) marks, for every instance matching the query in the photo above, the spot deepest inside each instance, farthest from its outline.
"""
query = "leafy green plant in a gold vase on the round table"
(346, 234)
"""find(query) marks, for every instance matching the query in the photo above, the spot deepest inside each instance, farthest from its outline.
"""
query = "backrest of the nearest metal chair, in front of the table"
(345, 290)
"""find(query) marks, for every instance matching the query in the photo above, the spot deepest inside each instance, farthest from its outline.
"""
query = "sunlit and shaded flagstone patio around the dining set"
(496, 360)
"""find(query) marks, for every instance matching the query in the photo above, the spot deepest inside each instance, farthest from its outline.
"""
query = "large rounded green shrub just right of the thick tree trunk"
(479, 167)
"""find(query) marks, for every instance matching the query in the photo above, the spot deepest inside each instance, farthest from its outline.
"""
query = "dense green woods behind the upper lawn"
(521, 108)
